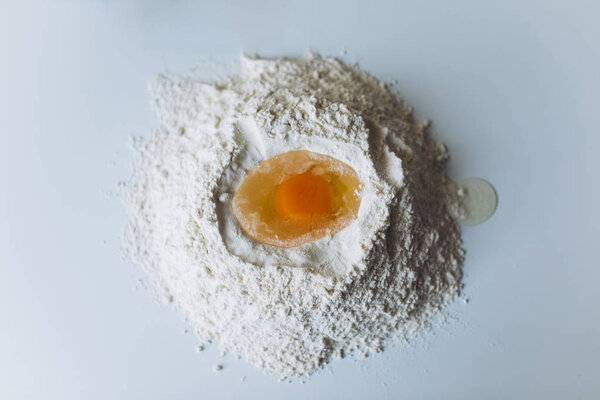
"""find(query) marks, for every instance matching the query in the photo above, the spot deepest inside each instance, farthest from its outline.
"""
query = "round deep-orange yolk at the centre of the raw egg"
(303, 197)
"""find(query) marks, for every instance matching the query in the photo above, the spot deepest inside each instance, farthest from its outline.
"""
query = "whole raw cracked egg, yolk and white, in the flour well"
(296, 198)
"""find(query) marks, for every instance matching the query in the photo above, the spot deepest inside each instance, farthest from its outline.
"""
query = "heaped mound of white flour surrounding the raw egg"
(288, 311)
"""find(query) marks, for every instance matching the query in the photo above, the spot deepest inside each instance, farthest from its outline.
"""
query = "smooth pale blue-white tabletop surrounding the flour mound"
(513, 88)
